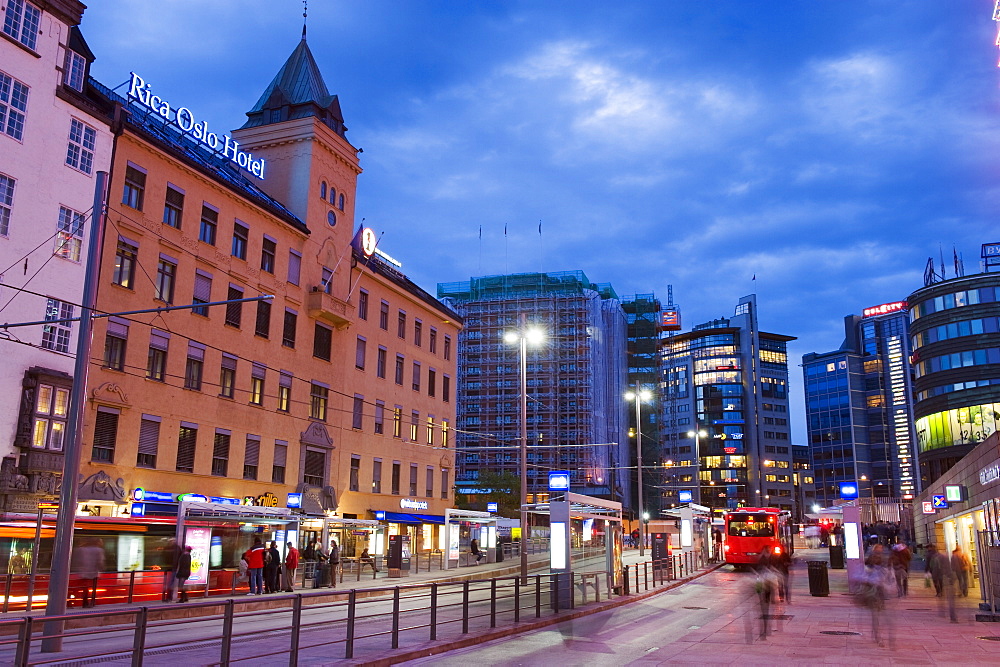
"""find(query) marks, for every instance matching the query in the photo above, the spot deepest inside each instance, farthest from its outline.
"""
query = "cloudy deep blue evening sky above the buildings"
(827, 148)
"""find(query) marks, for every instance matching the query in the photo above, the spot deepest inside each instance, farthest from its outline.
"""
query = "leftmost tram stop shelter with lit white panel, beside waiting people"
(219, 533)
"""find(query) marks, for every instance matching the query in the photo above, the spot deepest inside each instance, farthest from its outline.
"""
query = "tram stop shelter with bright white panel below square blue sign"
(585, 539)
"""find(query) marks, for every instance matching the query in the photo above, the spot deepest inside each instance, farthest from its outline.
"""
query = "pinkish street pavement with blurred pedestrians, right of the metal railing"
(715, 620)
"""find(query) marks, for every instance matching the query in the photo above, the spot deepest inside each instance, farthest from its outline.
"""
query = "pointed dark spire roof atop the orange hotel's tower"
(297, 91)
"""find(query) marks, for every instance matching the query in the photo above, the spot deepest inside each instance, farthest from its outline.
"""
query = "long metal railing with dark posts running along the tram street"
(311, 625)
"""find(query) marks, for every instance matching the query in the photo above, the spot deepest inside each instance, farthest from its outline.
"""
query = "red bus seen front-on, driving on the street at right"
(750, 529)
